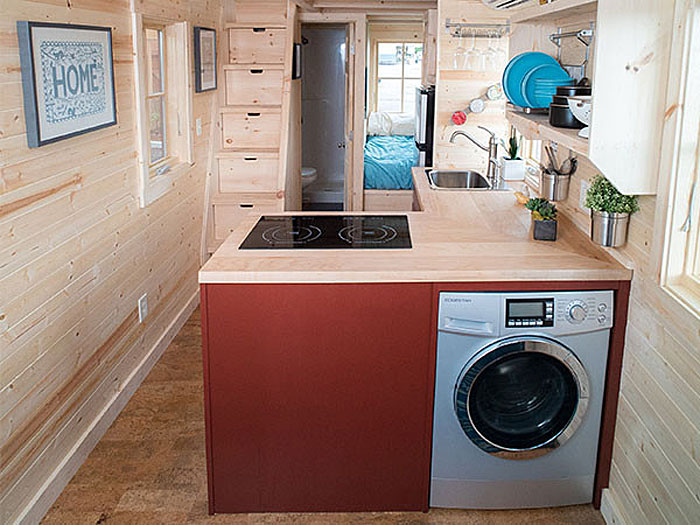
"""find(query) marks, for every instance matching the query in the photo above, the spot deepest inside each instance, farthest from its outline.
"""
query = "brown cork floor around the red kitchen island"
(149, 468)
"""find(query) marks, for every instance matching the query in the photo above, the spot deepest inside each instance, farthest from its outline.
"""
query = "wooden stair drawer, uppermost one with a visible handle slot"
(256, 45)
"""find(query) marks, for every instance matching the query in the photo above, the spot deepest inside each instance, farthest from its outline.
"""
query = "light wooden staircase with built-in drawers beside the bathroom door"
(248, 174)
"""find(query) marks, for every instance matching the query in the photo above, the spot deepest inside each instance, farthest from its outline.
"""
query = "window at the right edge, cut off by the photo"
(680, 274)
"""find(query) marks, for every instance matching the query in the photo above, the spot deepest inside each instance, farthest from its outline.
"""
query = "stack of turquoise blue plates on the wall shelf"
(530, 79)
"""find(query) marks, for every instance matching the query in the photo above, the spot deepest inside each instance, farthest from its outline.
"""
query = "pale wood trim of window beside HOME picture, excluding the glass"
(156, 180)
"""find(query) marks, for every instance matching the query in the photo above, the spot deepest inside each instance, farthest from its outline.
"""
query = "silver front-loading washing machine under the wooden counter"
(518, 398)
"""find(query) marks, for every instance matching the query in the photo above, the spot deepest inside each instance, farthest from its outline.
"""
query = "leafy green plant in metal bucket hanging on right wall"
(610, 212)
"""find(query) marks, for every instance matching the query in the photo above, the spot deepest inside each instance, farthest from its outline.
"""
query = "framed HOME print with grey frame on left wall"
(67, 80)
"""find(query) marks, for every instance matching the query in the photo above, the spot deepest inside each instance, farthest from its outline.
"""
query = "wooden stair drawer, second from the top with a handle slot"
(252, 86)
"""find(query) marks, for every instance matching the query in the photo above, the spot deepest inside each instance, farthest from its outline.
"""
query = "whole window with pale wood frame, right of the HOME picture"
(162, 68)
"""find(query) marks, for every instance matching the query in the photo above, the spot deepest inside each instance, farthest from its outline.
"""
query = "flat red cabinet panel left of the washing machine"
(319, 397)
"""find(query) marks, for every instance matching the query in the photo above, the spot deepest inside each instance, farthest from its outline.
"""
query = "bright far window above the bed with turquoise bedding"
(399, 67)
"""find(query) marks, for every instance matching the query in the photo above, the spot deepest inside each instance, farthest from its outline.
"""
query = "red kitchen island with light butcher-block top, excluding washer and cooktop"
(320, 364)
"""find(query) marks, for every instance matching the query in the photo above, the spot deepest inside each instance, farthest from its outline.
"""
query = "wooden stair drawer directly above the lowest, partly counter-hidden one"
(248, 172)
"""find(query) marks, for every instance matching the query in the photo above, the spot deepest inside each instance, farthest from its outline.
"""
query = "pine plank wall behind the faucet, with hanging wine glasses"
(456, 88)
